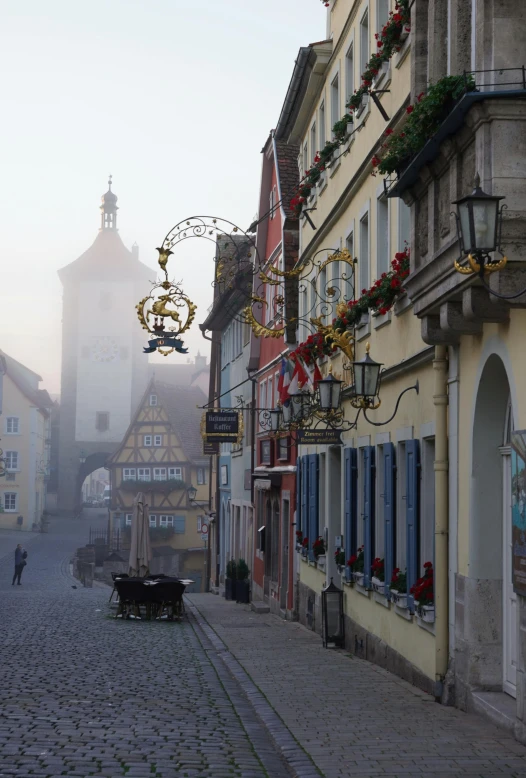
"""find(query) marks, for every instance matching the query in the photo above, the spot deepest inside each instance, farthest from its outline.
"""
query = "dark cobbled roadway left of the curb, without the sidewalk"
(83, 694)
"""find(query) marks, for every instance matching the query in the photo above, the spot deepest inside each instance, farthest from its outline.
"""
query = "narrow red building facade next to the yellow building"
(275, 471)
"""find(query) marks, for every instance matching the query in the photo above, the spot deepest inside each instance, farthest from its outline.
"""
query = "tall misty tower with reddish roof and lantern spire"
(104, 369)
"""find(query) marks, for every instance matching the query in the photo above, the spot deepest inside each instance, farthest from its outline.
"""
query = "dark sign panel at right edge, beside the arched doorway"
(518, 510)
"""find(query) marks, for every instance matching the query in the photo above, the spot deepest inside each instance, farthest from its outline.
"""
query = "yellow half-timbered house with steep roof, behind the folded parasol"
(161, 456)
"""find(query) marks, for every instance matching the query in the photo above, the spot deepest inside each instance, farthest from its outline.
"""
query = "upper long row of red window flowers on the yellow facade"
(388, 42)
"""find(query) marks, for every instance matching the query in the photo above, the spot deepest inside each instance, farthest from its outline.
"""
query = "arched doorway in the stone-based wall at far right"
(489, 614)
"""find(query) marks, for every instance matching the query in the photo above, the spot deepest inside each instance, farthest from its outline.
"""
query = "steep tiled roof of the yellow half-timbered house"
(180, 403)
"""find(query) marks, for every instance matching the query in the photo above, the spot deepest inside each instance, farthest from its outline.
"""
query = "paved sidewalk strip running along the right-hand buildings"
(352, 717)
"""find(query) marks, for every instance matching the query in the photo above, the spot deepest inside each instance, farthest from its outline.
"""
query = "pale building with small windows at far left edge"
(25, 434)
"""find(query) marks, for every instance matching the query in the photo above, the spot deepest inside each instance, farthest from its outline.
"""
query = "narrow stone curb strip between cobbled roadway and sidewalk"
(298, 760)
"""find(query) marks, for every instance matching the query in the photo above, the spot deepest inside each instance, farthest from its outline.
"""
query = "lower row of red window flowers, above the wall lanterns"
(379, 299)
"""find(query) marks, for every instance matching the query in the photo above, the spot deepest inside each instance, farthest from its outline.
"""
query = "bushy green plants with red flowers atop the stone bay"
(425, 116)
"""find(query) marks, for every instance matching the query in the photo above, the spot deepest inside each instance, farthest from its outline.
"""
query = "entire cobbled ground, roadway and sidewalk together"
(86, 695)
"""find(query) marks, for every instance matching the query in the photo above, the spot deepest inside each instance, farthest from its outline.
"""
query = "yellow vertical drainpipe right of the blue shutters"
(440, 400)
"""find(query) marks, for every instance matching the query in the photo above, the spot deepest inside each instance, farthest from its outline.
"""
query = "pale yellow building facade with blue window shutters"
(377, 490)
